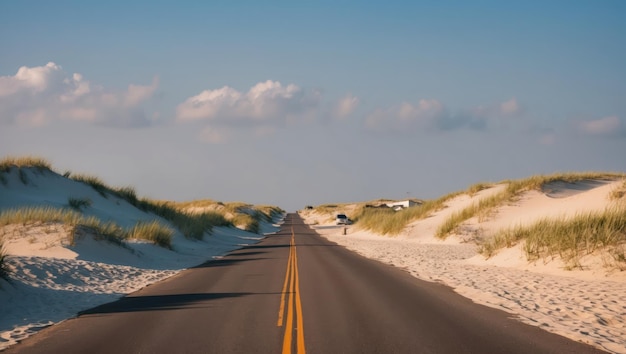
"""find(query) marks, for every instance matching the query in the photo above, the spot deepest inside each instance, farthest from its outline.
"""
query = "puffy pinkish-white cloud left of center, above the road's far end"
(266, 105)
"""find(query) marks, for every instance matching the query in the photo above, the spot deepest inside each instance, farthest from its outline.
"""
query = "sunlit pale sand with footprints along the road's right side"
(584, 305)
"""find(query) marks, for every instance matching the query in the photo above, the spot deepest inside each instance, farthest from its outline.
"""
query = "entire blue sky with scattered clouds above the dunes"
(296, 103)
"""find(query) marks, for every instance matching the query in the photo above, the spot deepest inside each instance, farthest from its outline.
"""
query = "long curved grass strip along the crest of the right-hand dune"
(514, 188)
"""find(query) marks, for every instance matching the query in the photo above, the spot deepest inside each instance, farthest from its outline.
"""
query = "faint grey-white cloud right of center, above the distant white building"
(407, 117)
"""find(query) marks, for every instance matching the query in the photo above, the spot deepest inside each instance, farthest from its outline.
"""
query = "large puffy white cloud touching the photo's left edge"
(41, 95)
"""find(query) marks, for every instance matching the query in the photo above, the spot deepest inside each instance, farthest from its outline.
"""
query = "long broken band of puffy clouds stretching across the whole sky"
(41, 95)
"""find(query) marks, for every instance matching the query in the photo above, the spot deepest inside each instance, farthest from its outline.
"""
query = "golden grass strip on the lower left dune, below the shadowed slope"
(109, 231)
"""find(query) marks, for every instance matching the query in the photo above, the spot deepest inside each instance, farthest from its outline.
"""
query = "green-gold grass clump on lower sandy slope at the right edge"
(568, 238)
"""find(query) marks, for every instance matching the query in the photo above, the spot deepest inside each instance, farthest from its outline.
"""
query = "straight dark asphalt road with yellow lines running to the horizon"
(295, 292)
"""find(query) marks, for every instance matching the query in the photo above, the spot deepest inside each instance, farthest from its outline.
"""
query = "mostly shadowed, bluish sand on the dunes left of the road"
(52, 281)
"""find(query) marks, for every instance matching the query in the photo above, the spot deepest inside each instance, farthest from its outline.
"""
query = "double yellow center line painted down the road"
(293, 283)
